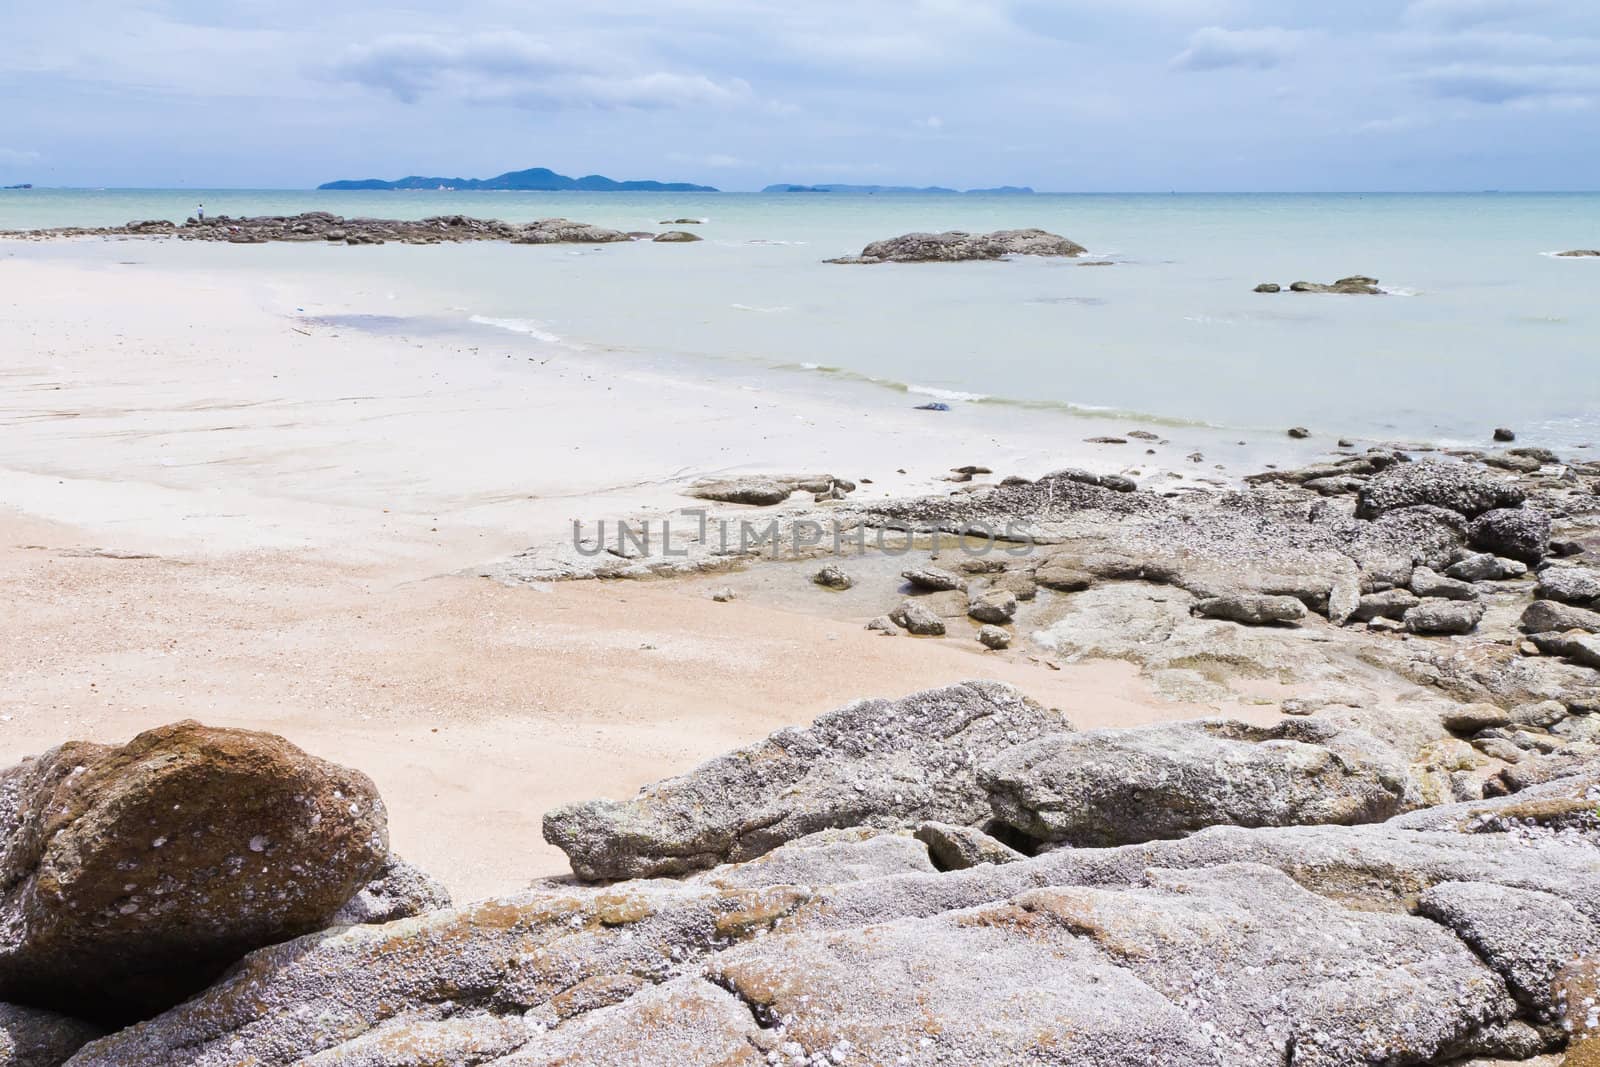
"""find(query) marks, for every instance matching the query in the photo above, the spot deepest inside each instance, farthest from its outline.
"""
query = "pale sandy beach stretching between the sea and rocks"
(218, 513)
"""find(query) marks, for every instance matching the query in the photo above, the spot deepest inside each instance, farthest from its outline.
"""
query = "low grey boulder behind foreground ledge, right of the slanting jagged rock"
(1124, 786)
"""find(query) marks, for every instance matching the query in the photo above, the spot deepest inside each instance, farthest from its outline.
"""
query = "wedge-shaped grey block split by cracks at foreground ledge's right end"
(1527, 937)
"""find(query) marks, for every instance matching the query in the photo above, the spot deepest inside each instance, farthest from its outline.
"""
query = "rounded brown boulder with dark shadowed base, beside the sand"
(134, 876)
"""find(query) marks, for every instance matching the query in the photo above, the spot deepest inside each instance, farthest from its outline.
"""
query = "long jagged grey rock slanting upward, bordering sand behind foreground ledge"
(879, 764)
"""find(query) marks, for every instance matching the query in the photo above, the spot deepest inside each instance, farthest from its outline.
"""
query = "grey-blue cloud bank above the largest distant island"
(524, 71)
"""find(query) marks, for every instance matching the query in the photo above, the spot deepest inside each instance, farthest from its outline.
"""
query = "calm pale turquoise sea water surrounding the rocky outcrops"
(1482, 329)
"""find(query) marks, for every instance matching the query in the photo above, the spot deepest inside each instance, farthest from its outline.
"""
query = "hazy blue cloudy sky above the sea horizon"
(1062, 95)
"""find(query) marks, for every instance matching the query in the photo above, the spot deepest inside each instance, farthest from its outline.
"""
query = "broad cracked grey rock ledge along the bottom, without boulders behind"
(1454, 933)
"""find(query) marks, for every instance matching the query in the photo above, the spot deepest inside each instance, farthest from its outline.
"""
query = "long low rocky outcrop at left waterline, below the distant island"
(321, 226)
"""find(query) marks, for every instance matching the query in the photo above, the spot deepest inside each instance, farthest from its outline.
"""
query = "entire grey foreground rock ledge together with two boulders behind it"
(879, 914)
